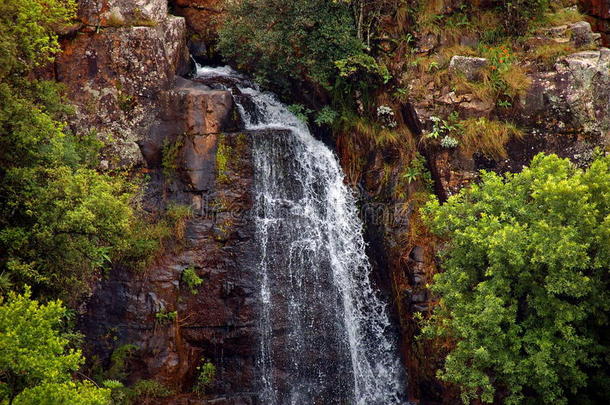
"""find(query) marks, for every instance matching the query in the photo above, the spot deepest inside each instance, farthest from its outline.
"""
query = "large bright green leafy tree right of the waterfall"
(525, 288)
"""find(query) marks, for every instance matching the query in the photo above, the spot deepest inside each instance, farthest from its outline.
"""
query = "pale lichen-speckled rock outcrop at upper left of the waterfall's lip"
(114, 75)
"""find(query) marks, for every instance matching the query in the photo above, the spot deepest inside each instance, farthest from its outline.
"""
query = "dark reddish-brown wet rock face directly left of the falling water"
(218, 322)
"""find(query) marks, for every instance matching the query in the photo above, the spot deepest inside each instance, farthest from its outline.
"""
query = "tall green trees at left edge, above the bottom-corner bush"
(61, 221)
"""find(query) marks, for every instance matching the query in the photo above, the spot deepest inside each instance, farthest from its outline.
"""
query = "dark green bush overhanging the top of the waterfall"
(282, 42)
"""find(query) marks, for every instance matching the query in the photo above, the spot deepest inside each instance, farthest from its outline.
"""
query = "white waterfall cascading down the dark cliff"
(326, 337)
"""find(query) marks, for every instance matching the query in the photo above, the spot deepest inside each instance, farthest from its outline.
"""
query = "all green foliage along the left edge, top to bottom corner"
(62, 221)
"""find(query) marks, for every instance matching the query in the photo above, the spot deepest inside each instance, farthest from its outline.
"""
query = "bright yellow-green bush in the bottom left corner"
(35, 365)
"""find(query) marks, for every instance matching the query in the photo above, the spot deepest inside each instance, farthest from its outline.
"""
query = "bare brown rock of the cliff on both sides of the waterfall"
(129, 69)
